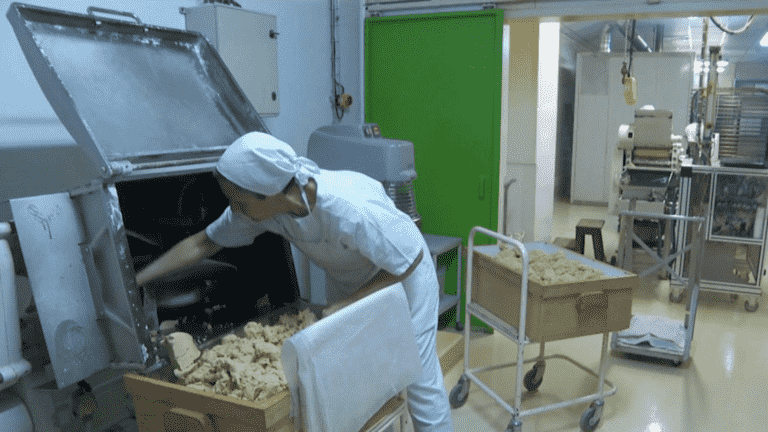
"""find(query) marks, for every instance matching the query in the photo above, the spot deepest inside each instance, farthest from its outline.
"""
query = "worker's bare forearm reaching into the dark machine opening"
(185, 253)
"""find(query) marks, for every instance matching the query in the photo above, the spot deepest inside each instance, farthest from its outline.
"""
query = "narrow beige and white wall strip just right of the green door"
(531, 133)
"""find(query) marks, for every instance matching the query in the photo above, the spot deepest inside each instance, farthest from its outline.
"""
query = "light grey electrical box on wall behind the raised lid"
(247, 42)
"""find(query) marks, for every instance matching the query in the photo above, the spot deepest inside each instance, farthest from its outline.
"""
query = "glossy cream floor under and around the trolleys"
(724, 387)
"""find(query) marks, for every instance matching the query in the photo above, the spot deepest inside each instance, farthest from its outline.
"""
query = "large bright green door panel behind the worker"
(435, 80)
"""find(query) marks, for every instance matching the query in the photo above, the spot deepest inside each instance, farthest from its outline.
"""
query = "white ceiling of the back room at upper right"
(681, 34)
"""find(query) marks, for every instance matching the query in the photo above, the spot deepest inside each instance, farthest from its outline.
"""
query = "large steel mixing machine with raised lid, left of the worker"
(151, 110)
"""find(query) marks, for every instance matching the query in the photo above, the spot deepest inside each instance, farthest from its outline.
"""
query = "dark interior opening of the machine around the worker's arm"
(213, 299)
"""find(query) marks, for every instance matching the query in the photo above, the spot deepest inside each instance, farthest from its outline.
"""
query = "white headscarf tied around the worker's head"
(263, 164)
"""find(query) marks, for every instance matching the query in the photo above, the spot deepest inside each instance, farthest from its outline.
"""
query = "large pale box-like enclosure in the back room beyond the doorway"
(664, 81)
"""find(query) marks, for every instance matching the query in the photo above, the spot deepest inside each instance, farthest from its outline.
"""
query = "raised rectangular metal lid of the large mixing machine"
(131, 93)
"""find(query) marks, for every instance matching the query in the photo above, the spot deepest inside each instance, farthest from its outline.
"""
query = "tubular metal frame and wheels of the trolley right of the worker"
(533, 379)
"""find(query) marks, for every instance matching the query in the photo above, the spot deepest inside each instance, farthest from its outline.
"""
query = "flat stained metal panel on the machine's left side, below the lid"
(50, 234)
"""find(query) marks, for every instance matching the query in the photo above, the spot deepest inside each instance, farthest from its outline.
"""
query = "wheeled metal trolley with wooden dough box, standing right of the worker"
(614, 301)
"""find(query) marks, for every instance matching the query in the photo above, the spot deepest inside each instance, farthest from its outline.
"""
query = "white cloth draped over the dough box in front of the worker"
(342, 369)
